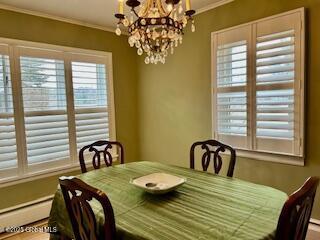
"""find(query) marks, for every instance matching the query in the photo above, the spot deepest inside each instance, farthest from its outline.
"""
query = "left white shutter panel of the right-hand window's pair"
(230, 88)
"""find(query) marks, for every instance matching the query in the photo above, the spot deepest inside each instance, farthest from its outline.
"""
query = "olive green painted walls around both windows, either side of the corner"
(161, 110)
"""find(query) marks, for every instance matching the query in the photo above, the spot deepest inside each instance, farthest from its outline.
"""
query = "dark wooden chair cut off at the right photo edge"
(295, 215)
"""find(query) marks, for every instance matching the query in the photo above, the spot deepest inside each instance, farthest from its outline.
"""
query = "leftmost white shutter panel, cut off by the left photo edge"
(8, 147)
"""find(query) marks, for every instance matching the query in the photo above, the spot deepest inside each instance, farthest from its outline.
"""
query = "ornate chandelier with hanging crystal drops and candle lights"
(155, 27)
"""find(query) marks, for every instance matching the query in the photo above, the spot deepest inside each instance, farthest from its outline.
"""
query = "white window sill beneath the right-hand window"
(271, 157)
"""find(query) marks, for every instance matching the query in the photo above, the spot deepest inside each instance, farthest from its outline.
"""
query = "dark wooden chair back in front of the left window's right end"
(100, 148)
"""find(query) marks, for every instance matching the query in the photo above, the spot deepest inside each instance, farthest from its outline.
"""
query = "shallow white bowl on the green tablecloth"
(158, 183)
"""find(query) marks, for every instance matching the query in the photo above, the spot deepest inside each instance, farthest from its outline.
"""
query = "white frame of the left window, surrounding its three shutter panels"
(67, 54)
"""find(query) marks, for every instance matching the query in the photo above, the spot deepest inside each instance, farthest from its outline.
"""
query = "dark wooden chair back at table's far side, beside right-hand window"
(212, 150)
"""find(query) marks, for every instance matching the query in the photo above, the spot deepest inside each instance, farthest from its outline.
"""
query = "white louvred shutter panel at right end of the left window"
(90, 102)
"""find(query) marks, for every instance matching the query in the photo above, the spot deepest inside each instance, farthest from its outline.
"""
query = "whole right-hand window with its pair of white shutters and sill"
(258, 87)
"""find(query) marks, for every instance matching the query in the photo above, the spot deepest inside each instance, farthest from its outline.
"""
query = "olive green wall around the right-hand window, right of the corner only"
(175, 98)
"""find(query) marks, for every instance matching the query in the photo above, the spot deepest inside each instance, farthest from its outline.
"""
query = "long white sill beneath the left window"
(32, 176)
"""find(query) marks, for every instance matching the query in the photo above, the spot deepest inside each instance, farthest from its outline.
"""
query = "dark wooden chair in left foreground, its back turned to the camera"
(77, 196)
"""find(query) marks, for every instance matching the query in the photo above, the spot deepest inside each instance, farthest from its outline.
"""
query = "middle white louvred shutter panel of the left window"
(44, 102)
